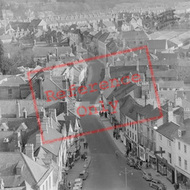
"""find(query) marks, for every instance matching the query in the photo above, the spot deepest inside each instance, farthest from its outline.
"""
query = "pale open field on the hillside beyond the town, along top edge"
(69, 6)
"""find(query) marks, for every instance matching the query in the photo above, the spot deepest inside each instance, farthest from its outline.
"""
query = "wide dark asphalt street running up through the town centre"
(106, 172)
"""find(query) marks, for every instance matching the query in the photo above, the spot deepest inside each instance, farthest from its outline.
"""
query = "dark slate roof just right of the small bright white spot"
(168, 129)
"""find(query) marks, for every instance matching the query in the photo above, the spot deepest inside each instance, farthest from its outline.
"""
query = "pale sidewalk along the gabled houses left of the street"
(79, 165)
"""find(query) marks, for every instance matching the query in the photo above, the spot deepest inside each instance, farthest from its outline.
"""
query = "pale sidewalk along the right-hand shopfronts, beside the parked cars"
(122, 149)
